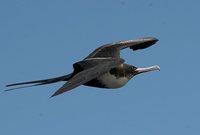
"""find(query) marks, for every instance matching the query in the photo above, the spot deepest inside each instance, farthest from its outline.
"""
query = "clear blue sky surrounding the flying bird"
(42, 38)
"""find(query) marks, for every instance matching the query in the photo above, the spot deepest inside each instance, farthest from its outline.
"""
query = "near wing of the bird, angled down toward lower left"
(89, 74)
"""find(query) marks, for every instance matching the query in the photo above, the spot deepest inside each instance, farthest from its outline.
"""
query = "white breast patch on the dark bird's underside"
(111, 81)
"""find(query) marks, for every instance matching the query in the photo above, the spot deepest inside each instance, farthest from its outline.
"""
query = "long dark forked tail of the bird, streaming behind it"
(38, 82)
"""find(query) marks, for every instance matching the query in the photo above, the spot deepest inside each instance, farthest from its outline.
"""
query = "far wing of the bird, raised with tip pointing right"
(113, 49)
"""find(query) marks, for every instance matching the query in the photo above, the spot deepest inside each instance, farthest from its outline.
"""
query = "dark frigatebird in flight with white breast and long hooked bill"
(102, 68)
